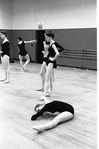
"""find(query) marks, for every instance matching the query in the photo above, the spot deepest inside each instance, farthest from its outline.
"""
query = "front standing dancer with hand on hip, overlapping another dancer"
(51, 60)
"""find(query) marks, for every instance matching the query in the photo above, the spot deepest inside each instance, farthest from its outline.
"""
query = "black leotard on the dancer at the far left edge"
(5, 48)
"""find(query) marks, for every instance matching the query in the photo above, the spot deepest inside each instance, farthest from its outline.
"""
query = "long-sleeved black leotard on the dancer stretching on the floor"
(54, 106)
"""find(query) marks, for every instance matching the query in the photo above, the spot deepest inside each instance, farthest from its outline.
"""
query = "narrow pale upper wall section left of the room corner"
(6, 14)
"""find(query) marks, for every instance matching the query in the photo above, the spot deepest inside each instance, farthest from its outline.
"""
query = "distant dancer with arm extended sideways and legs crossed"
(22, 52)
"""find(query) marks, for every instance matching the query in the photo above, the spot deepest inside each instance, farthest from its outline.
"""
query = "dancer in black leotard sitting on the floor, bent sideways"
(63, 112)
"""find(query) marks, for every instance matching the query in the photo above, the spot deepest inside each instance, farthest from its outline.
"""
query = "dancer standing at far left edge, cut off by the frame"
(5, 55)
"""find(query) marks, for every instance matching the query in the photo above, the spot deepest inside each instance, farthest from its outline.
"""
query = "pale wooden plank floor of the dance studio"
(18, 98)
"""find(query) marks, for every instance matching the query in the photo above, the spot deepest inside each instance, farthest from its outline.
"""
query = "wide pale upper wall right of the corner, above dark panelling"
(54, 14)
